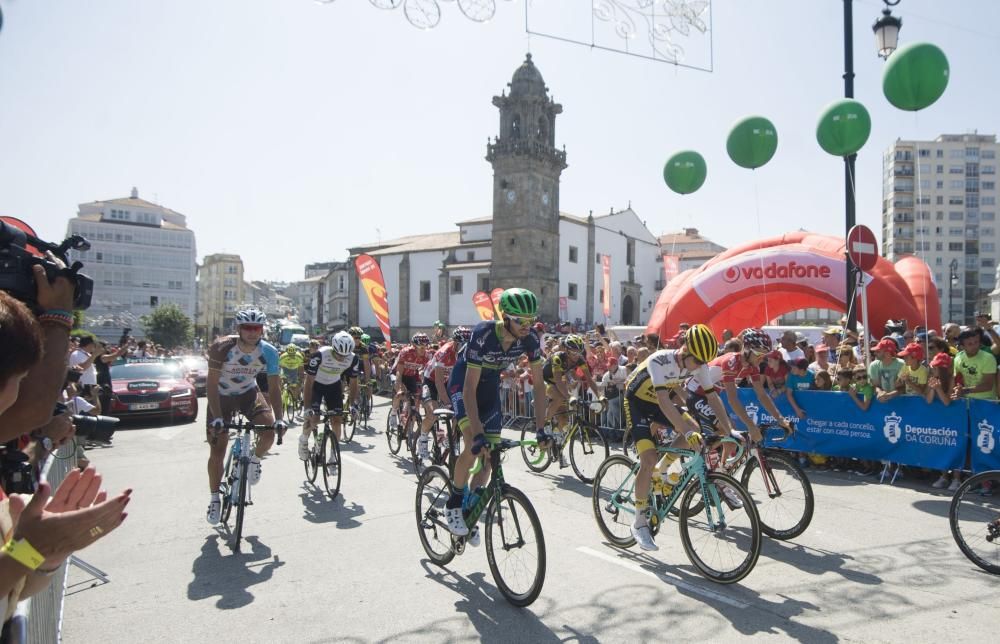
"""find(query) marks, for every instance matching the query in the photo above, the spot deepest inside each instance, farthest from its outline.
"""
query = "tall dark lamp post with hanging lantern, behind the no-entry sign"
(886, 31)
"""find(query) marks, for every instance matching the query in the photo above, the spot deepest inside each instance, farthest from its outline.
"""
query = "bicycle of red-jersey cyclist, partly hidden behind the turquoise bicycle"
(778, 485)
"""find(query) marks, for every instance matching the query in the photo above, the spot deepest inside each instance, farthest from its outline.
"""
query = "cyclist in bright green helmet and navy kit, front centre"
(474, 387)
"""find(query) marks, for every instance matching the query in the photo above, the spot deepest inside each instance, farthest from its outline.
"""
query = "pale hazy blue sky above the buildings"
(288, 131)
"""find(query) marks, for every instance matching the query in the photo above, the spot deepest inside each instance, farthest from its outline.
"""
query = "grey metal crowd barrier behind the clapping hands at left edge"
(39, 618)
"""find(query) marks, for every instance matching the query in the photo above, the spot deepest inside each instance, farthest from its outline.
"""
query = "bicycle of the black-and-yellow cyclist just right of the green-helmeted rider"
(587, 446)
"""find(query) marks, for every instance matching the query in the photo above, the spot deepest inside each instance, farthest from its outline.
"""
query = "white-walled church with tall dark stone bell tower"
(527, 242)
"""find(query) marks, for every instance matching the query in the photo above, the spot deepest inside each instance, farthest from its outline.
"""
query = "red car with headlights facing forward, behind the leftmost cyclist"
(148, 389)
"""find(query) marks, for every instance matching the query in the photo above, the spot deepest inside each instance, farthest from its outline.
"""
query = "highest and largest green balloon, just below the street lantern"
(915, 76)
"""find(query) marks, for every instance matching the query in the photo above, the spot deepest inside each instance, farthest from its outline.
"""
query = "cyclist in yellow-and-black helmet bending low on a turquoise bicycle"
(648, 402)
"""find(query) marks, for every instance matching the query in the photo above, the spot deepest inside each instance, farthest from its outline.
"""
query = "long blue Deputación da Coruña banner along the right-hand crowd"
(905, 430)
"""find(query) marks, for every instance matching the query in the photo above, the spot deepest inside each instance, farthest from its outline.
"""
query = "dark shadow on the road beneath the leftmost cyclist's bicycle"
(230, 576)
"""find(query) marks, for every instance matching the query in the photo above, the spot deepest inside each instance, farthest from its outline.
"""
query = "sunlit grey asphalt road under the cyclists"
(877, 564)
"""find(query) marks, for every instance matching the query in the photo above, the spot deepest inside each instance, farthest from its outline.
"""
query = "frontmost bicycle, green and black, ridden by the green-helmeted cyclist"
(515, 545)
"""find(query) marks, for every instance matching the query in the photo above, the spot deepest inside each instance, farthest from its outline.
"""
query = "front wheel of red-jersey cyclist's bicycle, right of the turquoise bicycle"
(782, 494)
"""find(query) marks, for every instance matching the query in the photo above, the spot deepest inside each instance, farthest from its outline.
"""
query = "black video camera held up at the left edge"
(17, 277)
